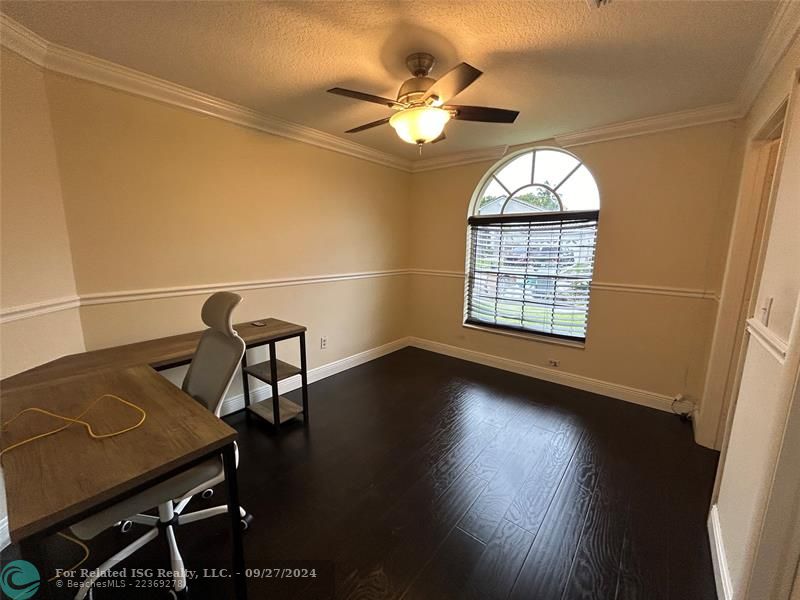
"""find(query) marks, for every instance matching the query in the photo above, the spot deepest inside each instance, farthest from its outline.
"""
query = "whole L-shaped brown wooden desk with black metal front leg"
(57, 481)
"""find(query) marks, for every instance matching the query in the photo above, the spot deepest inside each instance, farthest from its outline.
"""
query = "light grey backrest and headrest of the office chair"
(218, 354)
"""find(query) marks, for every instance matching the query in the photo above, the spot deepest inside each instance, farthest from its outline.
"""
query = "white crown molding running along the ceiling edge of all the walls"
(54, 57)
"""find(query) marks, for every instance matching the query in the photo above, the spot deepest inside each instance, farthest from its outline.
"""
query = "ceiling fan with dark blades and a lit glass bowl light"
(422, 102)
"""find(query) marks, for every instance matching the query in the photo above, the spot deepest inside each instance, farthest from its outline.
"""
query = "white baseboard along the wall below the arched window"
(605, 388)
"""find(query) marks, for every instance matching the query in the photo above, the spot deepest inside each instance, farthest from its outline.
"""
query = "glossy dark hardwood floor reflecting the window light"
(426, 477)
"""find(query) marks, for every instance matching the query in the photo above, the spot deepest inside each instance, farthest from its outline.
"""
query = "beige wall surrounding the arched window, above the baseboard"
(666, 207)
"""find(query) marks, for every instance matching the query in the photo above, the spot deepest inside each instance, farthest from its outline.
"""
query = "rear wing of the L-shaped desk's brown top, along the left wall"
(157, 353)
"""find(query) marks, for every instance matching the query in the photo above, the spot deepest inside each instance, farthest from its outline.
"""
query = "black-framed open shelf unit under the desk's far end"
(277, 409)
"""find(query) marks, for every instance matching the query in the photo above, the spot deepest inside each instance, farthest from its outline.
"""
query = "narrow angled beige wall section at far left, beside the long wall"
(36, 262)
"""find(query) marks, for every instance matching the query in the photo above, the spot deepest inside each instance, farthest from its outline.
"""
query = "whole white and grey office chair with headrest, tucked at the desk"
(210, 373)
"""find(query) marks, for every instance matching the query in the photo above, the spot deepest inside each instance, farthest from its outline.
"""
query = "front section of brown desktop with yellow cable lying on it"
(55, 479)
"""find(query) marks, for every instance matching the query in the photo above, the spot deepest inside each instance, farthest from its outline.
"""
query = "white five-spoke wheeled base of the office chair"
(169, 517)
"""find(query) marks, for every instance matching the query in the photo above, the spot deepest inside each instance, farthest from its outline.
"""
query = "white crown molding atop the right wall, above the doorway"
(783, 29)
